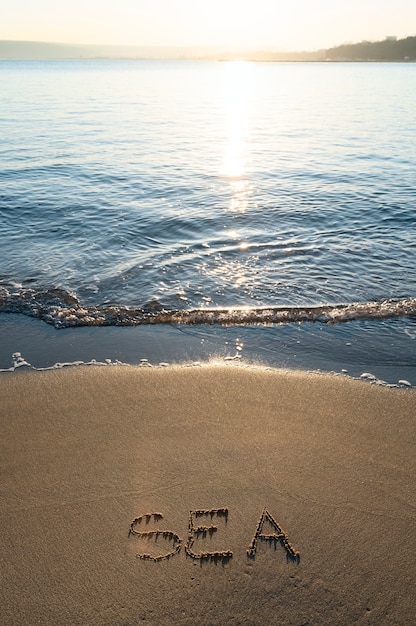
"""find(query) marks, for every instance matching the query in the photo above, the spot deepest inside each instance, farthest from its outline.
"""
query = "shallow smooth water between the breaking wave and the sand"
(381, 351)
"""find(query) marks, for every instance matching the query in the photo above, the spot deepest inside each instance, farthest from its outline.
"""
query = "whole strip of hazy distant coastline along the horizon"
(388, 50)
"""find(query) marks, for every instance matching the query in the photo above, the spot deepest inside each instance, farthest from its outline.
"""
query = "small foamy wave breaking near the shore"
(62, 309)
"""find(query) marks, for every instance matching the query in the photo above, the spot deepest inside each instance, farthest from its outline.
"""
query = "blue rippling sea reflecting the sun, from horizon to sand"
(159, 212)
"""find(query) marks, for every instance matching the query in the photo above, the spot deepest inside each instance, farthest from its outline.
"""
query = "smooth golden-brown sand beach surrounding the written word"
(87, 453)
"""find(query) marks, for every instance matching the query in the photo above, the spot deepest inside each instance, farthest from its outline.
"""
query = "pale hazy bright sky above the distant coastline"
(276, 24)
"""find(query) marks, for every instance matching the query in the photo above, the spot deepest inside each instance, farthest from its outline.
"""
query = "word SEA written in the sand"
(203, 523)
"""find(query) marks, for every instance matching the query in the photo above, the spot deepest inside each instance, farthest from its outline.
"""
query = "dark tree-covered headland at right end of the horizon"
(388, 50)
